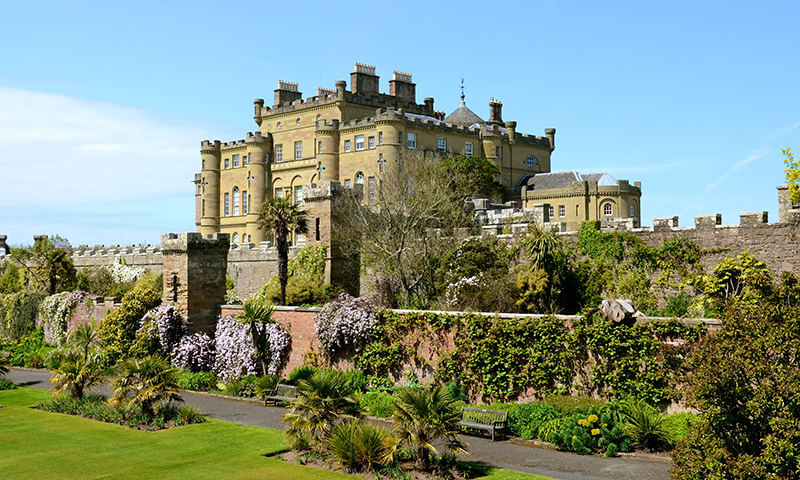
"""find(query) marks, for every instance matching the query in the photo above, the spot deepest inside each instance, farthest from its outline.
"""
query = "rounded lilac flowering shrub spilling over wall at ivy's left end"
(346, 322)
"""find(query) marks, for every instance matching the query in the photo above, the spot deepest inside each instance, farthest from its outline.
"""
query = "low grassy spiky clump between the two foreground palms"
(356, 445)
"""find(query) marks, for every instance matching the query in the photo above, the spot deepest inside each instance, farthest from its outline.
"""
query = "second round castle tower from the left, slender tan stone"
(258, 146)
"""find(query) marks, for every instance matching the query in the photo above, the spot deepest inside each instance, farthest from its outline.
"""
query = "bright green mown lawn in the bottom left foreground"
(37, 444)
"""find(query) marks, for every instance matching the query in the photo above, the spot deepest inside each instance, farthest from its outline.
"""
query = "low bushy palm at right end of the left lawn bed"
(146, 381)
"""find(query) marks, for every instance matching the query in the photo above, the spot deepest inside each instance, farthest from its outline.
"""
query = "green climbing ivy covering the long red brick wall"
(500, 358)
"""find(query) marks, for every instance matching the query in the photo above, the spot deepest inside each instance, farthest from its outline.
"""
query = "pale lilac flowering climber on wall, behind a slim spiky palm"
(236, 355)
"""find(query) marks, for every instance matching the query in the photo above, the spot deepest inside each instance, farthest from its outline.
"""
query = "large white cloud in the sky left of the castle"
(56, 149)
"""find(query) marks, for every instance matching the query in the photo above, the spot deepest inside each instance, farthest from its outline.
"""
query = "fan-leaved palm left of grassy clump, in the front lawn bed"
(321, 400)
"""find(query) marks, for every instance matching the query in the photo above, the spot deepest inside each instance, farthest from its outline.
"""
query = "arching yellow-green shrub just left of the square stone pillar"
(117, 332)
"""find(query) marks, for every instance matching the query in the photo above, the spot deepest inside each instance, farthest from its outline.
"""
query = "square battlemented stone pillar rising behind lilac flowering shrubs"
(194, 267)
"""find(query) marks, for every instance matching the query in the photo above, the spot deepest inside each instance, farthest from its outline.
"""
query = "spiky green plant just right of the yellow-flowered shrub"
(645, 426)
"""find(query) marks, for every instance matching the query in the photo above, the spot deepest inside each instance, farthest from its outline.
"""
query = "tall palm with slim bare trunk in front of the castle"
(282, 216)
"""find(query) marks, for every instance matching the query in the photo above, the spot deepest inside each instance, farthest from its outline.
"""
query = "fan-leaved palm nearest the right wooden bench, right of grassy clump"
(424, 415)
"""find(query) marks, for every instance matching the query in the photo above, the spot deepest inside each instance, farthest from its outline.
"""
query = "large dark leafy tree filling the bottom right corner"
(745, 380)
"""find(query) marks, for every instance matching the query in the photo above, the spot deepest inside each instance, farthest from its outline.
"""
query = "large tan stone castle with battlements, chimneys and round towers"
(347, 136)
